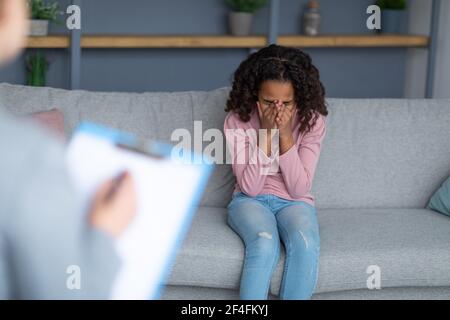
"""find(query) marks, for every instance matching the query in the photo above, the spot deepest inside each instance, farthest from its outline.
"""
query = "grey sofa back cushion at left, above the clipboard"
(148, 115)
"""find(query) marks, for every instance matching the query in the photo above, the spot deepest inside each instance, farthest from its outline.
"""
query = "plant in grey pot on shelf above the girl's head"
(241, 17)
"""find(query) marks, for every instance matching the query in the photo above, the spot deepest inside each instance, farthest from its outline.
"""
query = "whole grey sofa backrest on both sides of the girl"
(377, 153)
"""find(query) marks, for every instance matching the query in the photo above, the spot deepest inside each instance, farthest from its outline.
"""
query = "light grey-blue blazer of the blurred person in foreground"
(43, 232)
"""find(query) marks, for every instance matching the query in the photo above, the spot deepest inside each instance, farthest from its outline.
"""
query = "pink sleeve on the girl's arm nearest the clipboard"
(251, 165)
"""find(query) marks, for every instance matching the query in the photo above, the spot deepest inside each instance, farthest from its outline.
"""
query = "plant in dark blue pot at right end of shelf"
(393, 16)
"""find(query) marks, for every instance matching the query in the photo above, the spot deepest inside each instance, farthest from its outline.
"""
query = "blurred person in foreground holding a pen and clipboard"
(43, 231)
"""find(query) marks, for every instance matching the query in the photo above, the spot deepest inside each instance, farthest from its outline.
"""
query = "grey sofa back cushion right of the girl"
(383, 153)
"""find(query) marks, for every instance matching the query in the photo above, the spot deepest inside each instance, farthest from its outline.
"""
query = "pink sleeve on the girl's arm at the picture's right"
(299, 163)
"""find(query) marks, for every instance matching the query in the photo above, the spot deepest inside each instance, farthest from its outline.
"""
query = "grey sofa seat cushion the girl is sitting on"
(409, 245)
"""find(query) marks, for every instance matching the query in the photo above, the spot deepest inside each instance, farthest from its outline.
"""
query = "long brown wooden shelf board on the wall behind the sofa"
(148, 42)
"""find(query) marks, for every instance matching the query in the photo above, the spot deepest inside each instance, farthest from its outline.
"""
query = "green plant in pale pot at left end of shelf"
(41, 14)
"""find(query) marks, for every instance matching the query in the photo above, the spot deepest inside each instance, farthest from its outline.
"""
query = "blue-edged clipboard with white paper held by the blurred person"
(168, 193)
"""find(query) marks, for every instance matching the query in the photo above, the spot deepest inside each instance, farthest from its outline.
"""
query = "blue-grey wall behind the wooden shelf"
(346, 72)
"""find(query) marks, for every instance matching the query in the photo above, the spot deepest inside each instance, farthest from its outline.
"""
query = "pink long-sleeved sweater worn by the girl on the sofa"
(295, 171)
